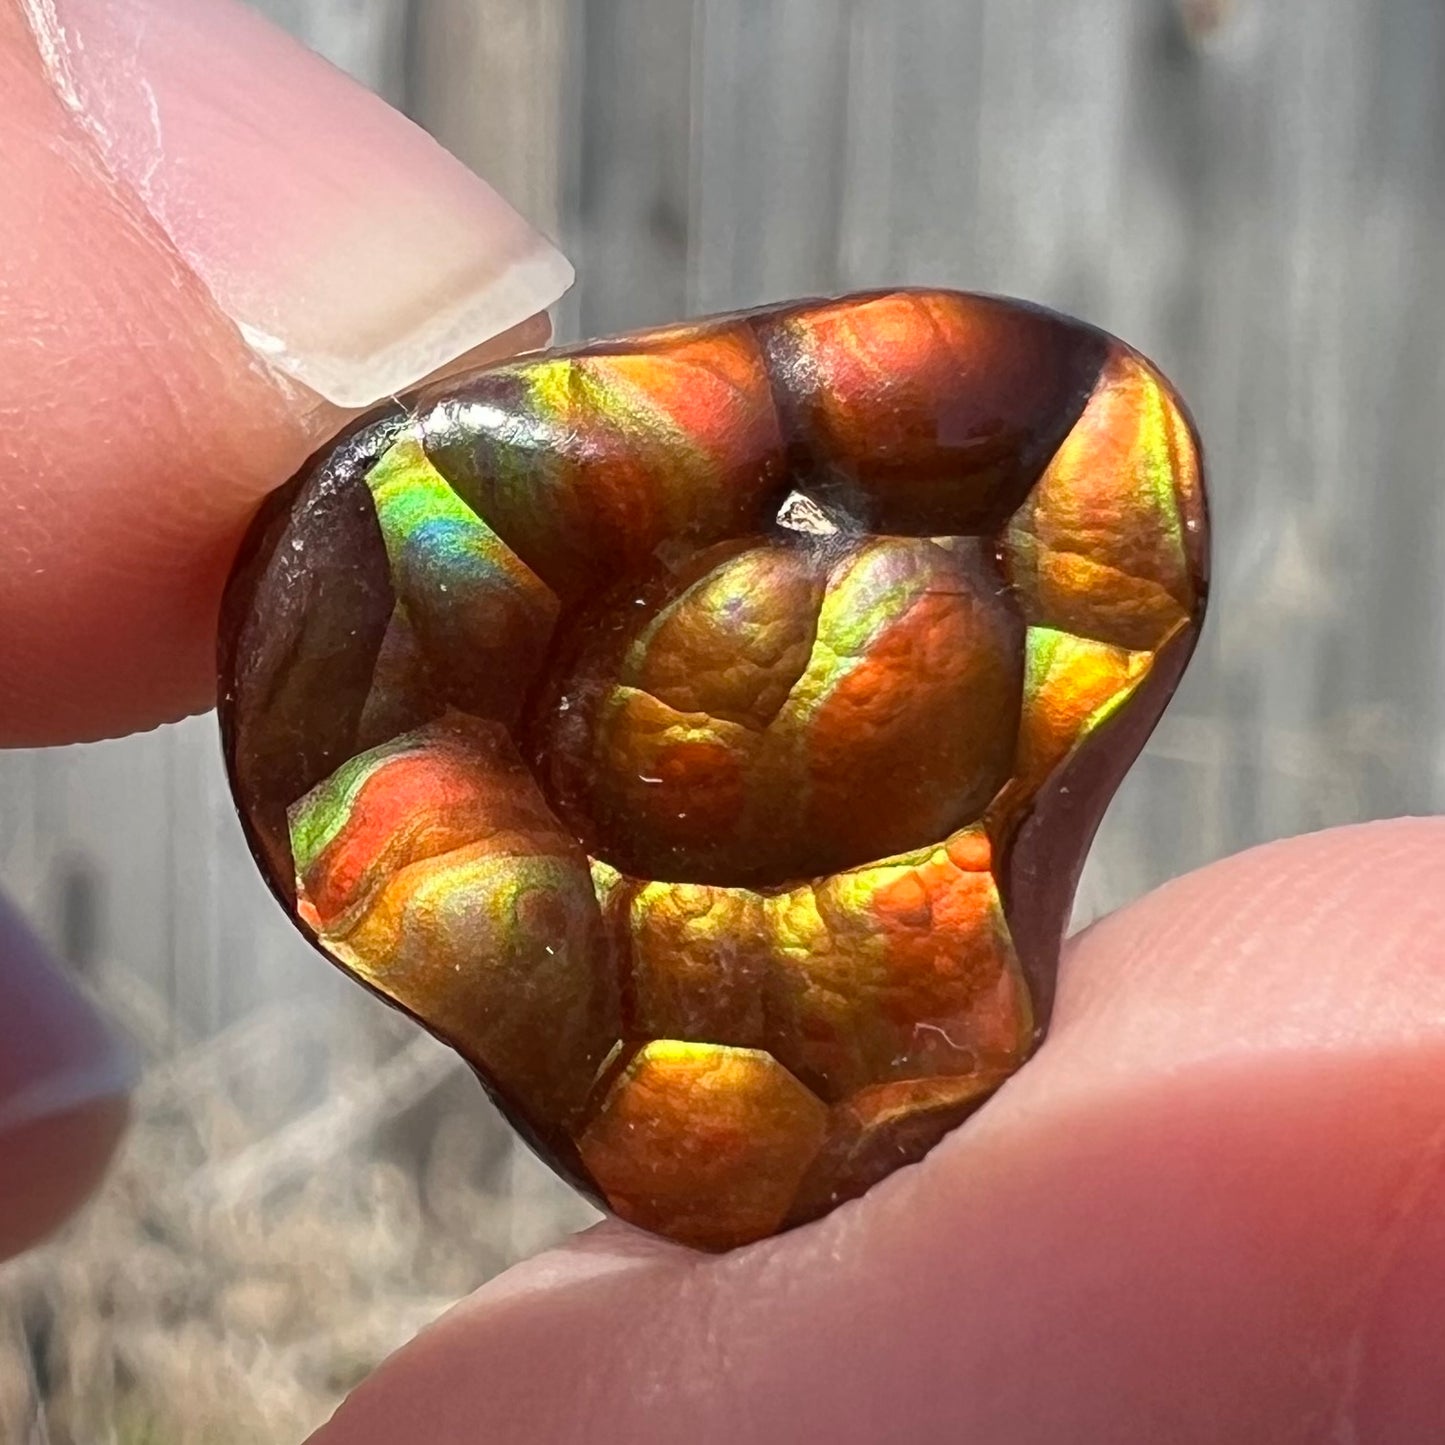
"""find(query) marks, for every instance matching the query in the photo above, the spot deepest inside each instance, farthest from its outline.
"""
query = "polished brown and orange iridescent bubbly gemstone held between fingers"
(703, 732)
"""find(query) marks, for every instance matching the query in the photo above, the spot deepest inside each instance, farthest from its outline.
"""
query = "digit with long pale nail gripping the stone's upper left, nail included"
(225, 246)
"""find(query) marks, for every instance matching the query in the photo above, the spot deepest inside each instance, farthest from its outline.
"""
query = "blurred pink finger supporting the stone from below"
(1212, 1209)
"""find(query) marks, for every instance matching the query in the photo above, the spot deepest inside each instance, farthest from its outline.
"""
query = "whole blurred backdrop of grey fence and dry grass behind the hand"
(1251, 193)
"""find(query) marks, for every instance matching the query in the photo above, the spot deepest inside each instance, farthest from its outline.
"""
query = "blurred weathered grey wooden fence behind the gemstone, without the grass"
(1254, 197)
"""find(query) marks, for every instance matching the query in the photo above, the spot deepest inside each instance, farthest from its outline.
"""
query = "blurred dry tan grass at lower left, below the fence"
(298, 1196)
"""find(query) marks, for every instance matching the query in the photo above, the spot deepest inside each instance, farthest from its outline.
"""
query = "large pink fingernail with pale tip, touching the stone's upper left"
(352, 251)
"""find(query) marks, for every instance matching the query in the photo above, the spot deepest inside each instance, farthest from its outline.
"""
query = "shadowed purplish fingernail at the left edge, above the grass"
(57, 1056)
